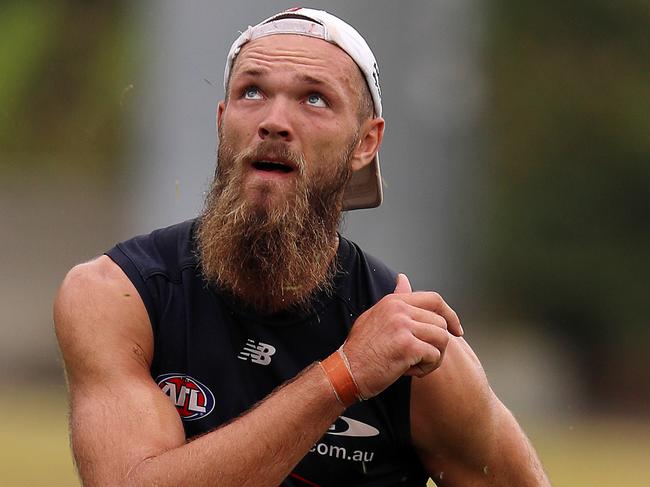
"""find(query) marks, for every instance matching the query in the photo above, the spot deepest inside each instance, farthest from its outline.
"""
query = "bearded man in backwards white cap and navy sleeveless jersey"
(256, 346)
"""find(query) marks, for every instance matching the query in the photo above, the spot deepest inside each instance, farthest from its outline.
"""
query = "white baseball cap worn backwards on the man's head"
(364, 189)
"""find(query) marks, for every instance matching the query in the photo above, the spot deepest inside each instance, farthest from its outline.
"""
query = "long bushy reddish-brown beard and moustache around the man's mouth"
(272, 256)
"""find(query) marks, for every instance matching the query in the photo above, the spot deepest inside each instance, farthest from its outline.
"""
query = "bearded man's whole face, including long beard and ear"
(290, 135)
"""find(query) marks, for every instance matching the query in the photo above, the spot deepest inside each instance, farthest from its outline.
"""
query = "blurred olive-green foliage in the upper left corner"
(63, 84)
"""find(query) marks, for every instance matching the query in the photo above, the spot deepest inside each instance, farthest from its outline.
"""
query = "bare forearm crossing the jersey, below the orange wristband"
(259, 448)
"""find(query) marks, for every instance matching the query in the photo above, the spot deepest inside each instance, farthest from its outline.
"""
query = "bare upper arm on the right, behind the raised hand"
(463, 434)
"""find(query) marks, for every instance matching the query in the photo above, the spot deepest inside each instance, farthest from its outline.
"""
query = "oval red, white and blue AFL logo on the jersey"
(192, 399)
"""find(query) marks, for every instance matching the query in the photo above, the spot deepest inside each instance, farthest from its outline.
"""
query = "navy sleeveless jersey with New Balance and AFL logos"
(215, 359)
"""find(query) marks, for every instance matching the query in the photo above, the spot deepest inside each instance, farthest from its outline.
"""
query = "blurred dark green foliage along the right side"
(568, 224)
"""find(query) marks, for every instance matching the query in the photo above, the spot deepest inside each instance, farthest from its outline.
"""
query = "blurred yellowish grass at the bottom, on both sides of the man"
(590, 452)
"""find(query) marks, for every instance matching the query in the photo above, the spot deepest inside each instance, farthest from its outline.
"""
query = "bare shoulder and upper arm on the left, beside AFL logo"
(119, 417)
